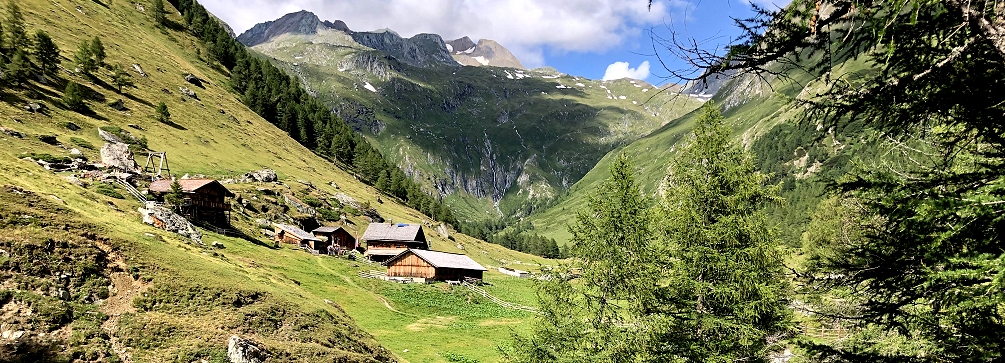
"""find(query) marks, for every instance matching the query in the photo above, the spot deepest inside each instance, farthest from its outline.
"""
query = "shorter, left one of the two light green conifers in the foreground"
(597, 318)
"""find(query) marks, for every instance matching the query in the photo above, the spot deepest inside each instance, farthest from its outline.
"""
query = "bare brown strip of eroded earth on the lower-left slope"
(124, 290)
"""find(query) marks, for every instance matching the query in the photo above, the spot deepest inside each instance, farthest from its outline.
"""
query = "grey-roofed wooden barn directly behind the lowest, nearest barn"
(385, 241)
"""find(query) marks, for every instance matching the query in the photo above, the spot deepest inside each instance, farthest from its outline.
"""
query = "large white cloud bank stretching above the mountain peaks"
(526, 28)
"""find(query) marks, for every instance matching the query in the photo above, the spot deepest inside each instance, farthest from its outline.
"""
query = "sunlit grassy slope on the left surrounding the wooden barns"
(172, 300)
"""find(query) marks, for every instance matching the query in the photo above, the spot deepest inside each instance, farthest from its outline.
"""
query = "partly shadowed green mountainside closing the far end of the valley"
(493, 140)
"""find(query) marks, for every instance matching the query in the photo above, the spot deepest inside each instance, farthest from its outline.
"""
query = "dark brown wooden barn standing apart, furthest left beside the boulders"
(206, 200)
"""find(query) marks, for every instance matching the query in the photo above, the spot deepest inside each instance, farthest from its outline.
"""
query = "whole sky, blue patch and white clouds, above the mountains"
(580, 38)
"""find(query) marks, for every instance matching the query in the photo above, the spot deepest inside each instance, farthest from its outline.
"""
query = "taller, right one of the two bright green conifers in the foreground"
(724, 299)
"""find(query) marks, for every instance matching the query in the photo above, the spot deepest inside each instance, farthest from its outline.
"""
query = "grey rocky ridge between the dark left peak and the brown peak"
(420, 51)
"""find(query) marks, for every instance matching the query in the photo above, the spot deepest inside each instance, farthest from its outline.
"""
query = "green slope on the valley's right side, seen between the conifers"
(766, 119)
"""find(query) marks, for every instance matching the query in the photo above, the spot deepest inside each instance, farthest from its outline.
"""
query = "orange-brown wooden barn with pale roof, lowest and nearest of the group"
(432, 265)
